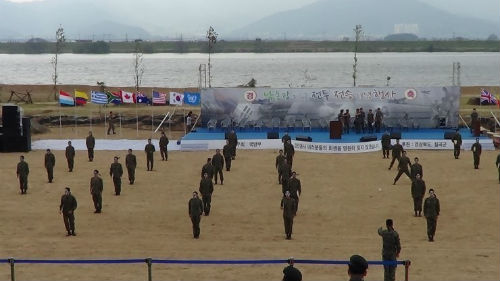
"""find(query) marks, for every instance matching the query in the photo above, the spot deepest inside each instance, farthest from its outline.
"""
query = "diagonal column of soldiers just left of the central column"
(212, 169)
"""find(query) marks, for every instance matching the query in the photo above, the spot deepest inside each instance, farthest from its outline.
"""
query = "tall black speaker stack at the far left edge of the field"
(15, 134)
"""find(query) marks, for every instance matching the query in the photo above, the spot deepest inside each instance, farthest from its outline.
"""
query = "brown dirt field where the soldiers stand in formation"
(340, 211)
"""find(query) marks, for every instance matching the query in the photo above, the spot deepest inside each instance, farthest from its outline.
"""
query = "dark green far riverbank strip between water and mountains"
(253, 46)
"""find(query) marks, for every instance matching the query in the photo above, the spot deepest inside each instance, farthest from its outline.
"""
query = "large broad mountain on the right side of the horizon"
(333, 19)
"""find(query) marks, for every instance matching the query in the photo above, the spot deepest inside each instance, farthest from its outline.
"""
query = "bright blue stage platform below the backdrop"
(323, 136)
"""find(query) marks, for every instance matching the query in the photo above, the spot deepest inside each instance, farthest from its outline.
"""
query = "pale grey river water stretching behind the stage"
(275, 70)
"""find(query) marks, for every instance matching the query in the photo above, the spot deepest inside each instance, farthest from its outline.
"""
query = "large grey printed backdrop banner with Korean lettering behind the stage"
(424, 107)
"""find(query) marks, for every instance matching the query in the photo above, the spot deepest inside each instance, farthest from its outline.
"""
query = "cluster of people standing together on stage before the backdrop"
(363, 122)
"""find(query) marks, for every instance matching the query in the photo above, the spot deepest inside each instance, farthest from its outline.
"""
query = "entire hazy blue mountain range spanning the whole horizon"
(322, 20)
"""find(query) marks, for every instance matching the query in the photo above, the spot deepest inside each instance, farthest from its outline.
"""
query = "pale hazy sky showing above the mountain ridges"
(487, 9)
